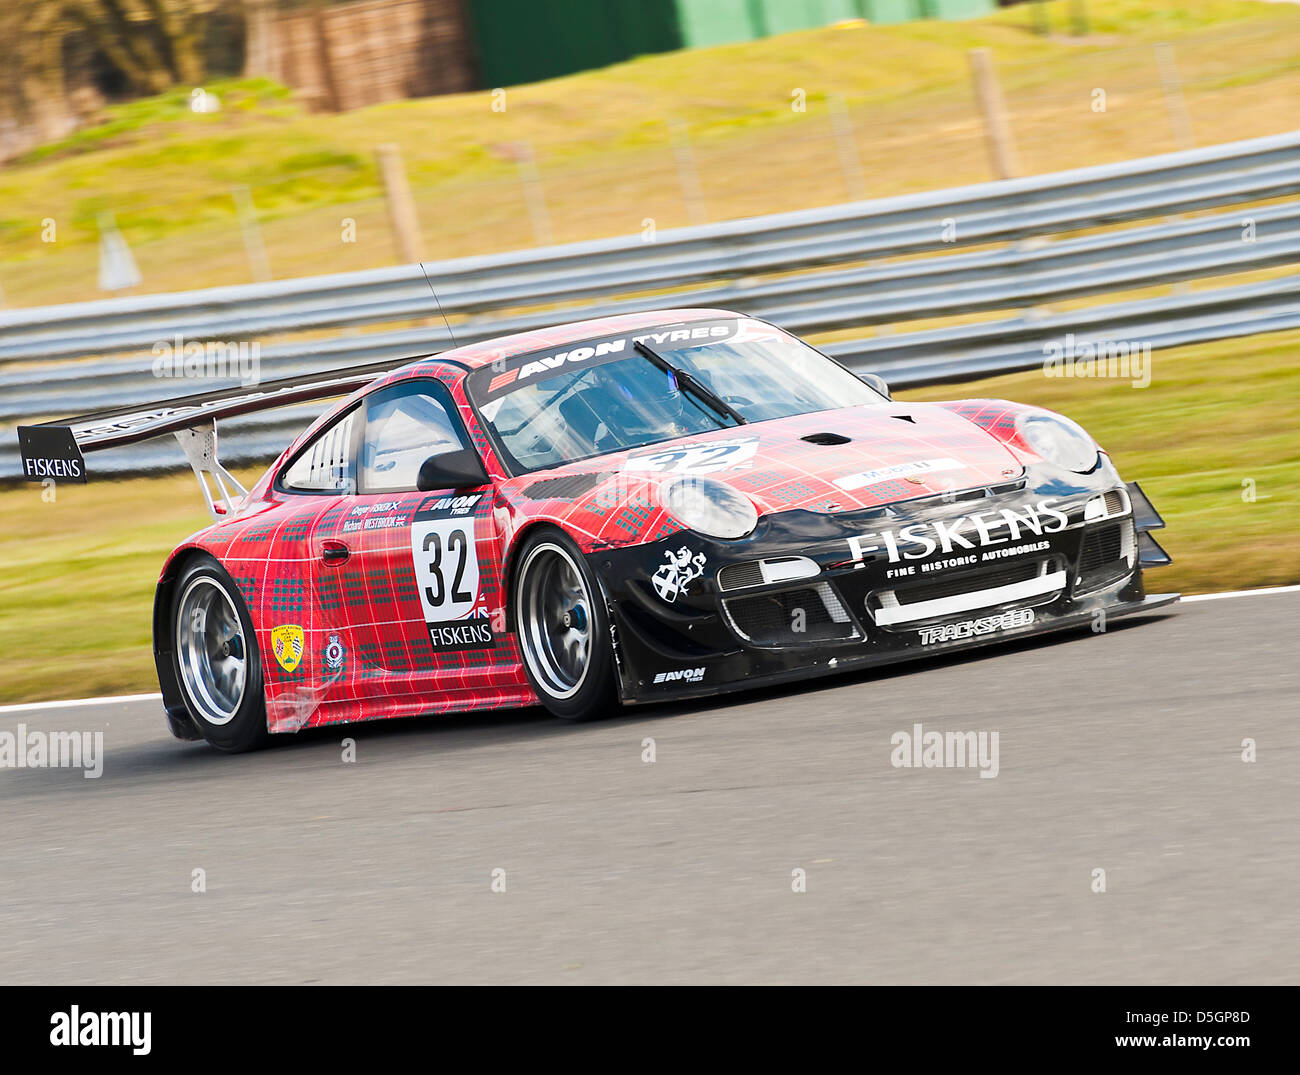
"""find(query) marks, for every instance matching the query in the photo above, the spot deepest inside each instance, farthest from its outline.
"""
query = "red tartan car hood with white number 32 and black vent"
(829, 462)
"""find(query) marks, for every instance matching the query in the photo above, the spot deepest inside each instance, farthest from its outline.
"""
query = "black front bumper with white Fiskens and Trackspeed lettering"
(818, 593)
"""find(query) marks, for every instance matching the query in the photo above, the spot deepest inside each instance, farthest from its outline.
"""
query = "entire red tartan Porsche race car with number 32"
(626, 510)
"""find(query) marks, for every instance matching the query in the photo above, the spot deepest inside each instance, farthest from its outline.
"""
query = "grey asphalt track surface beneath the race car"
(1119, 752)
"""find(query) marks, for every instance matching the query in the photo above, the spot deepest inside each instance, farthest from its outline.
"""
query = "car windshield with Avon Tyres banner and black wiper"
(608, 396)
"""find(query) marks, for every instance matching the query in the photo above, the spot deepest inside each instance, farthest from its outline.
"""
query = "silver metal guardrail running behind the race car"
(723, 261)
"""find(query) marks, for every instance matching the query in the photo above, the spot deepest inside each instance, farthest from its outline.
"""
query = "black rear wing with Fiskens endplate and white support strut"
(58, 449)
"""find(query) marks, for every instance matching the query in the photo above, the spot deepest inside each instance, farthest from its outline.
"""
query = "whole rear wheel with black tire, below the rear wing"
(216, 660)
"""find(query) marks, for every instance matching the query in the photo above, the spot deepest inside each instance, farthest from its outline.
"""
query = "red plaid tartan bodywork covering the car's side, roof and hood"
(371, 602)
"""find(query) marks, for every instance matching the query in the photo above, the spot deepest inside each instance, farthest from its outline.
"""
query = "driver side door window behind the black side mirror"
(405, 426)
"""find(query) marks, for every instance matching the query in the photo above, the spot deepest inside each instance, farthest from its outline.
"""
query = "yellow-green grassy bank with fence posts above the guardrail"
(605, 150)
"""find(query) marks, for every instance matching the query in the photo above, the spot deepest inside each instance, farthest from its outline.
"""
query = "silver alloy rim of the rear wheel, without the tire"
(211, 651)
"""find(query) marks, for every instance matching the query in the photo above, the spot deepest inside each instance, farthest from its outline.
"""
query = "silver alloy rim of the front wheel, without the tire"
(554, 619)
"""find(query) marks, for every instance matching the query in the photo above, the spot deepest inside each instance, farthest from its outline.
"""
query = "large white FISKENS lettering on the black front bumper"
(981, 530)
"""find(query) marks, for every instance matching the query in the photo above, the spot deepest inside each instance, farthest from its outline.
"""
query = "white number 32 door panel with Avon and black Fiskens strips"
(447, 573)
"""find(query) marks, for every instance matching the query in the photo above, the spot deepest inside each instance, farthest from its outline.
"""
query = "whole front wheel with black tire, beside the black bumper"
(564, 628)
